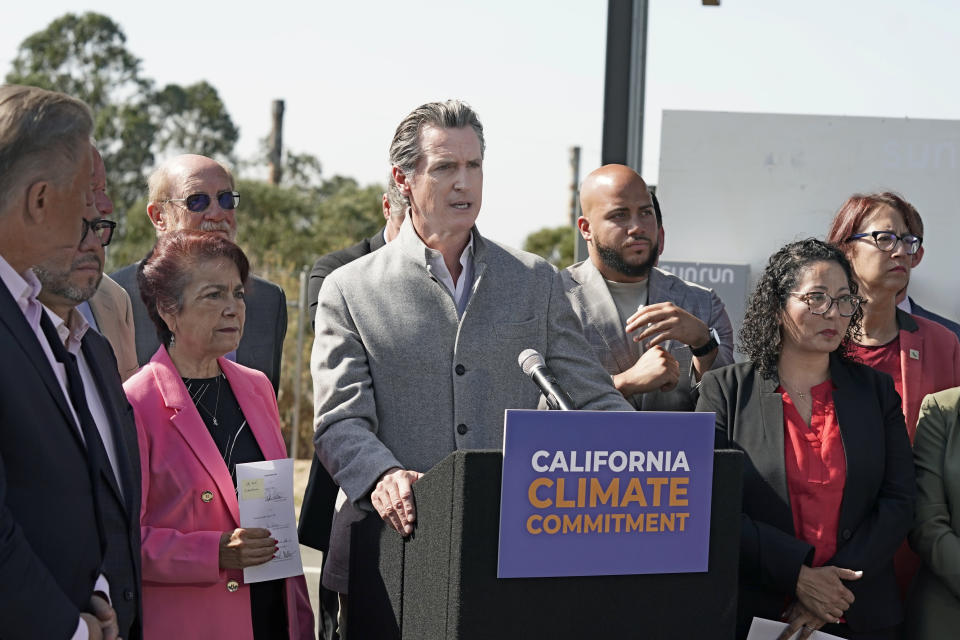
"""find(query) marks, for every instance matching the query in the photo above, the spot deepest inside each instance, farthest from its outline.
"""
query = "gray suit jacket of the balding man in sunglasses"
(261, 345)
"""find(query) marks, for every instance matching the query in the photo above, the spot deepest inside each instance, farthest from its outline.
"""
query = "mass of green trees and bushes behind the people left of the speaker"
(283, 229)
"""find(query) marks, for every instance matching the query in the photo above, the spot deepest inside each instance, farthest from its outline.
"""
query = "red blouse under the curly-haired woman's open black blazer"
(816, 470)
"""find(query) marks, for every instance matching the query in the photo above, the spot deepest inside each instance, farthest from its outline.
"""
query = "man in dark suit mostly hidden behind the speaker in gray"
(316, 514)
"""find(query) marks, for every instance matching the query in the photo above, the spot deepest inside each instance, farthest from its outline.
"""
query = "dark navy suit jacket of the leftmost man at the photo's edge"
(50, 539)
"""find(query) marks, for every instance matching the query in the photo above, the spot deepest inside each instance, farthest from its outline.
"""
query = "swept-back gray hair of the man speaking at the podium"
(405, 150)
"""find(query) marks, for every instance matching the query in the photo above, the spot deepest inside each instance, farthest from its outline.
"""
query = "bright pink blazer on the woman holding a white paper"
(185, 592)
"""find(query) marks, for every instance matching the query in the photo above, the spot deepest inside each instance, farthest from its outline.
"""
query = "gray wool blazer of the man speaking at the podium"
(401, 381)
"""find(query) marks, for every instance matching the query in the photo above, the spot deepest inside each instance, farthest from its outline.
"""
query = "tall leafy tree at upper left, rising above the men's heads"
(86, 56)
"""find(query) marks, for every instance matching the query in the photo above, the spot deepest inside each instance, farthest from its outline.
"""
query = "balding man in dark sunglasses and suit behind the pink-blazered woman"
(196, 192)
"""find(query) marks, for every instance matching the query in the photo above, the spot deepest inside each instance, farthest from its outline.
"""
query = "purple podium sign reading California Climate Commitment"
(605, 493)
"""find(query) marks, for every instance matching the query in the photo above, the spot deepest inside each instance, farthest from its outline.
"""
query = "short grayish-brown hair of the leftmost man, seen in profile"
(41, 133)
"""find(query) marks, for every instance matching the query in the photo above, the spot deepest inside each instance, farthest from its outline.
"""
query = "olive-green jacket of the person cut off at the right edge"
(933, 607)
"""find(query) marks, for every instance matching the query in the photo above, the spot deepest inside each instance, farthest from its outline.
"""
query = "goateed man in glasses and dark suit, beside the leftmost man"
(119, 497)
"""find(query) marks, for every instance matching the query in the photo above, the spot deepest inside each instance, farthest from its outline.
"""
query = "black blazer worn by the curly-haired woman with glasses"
(878, 497)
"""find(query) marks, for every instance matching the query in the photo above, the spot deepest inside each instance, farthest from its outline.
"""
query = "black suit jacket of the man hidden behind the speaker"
(316, 513)
